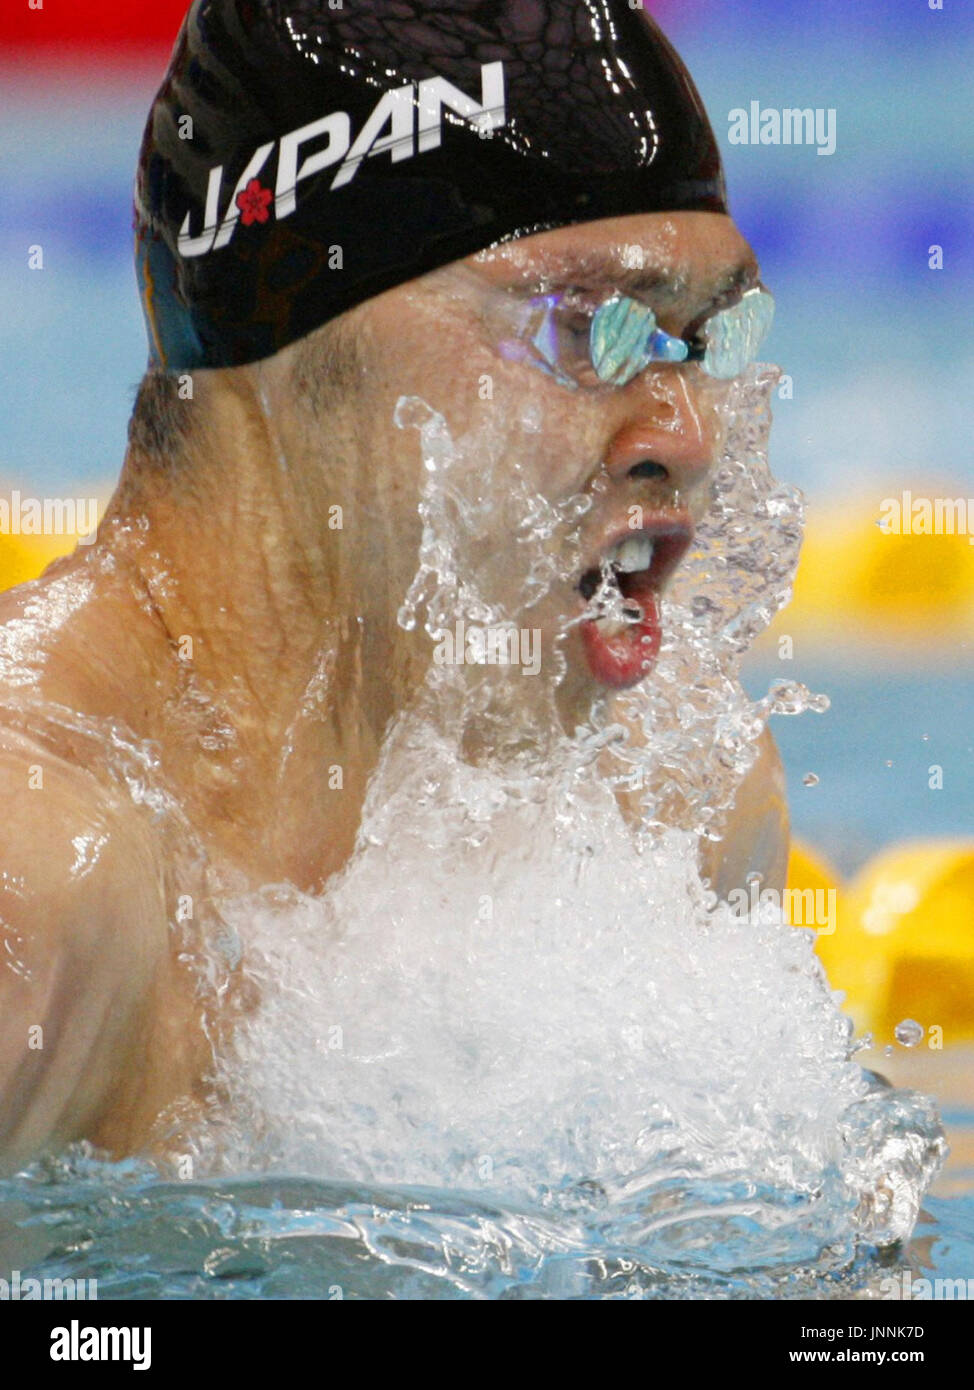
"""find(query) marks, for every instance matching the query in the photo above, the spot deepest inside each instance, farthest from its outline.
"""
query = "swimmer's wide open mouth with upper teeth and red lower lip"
(620, 625)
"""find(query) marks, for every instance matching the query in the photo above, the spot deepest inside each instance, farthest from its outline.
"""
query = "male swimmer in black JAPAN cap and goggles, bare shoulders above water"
(336, 209)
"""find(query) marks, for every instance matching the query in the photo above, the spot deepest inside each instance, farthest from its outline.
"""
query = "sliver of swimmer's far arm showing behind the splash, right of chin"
(757, 832)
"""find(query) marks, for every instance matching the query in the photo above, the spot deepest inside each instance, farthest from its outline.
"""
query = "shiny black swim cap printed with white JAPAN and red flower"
(306, 155)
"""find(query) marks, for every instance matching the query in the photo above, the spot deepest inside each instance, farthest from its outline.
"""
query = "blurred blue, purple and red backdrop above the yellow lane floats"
(877, 344)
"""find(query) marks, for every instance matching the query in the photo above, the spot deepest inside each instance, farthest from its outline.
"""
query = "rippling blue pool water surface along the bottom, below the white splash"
(297, 1238)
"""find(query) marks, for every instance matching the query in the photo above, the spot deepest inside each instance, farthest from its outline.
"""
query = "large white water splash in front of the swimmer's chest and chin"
(513, 996)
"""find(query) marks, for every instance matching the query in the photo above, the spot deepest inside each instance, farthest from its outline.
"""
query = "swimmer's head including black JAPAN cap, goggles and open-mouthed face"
(344, 211)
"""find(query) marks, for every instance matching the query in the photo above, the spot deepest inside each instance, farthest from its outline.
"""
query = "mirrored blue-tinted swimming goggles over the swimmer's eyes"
(612, 344)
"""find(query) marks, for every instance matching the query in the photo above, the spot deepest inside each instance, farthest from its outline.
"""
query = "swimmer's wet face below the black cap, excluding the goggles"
(641, 454)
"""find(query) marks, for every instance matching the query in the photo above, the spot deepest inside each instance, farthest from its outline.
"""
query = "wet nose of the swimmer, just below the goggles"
(669, 440)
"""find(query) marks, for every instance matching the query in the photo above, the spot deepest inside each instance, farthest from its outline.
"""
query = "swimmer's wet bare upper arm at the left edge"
(83, 939)
